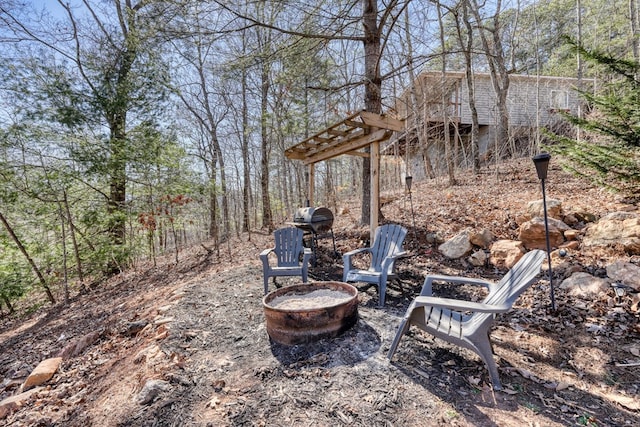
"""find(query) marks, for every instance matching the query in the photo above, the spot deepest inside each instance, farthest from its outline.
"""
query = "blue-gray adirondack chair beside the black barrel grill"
(288, 249)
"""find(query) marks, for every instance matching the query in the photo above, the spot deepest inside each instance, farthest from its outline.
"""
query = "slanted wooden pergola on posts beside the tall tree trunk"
(350, 136)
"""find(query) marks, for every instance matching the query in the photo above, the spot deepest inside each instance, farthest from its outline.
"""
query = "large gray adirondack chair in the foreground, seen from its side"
(468, 324)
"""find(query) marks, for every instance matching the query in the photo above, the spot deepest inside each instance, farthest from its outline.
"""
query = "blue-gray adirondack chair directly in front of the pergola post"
(386, 249)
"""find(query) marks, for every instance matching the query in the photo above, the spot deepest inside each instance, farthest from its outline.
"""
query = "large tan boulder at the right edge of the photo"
(617, 228)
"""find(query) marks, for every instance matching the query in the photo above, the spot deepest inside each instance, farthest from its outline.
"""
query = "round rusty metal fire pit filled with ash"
(305, 313)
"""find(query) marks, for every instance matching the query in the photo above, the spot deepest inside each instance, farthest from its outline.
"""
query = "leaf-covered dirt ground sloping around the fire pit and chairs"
(196, 331)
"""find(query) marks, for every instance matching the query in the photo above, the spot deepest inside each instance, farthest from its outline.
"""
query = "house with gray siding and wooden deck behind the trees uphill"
(533, 102)
